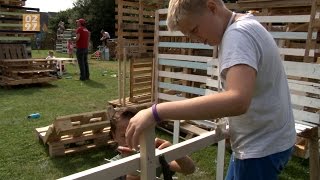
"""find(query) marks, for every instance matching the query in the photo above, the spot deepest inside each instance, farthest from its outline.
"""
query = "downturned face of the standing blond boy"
(206, 27)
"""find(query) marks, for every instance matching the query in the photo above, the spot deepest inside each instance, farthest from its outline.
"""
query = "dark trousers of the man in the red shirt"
(82, 57)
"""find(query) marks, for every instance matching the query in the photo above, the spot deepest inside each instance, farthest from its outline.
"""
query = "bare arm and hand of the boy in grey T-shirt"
(240, 83)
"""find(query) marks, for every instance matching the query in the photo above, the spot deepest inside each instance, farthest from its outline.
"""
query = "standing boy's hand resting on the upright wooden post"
(141, 121)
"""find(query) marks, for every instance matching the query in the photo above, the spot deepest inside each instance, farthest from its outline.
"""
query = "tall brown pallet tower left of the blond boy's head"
(135, 26)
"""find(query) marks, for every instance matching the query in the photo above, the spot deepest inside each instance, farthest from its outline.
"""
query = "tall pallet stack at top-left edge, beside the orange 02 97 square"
(11, 28)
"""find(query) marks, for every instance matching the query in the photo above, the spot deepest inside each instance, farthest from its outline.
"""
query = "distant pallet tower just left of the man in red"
(62, 39)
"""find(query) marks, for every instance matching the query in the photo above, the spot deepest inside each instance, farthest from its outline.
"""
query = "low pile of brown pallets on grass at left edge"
(16, 69)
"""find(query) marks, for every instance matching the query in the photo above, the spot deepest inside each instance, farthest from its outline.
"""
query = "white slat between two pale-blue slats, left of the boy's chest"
(182, 76)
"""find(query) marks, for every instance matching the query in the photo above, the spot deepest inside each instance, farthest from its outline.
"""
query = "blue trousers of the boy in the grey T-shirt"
(265, 168)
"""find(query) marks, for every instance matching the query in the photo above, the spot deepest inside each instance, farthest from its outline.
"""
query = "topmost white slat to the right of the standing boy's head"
(283, 19)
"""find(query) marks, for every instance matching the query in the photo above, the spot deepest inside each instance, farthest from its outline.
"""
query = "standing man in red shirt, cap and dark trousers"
(82, 44)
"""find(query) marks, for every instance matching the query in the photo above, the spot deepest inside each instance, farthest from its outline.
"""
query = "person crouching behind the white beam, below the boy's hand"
(119, 123)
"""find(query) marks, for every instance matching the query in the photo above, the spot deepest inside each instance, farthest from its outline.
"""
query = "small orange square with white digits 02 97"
(31, 22)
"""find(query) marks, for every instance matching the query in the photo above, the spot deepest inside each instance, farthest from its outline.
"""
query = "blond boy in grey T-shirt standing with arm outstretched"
(256, 96)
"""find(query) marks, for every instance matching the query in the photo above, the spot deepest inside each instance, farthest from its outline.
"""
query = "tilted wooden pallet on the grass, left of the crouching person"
(75, 133)
